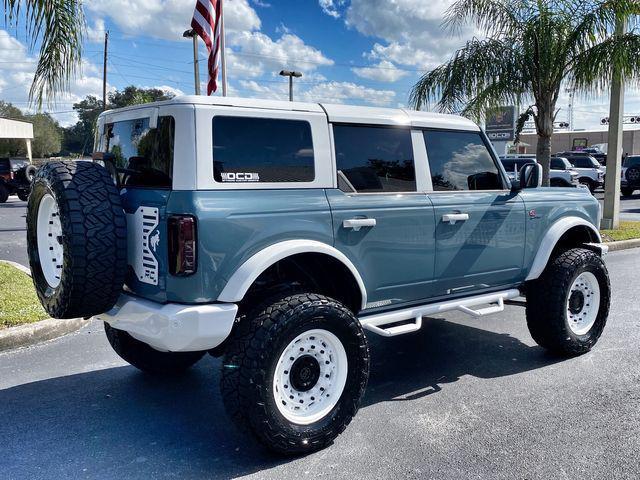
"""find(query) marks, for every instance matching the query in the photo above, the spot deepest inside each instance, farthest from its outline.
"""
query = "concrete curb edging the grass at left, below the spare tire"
(33, 333)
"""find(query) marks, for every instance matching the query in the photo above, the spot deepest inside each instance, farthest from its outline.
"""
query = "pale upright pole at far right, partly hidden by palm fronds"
(611, 214)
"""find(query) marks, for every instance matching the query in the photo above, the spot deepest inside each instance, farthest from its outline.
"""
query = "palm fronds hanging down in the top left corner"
(58, 25)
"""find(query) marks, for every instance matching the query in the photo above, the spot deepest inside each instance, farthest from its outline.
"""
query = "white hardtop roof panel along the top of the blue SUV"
(336, 113)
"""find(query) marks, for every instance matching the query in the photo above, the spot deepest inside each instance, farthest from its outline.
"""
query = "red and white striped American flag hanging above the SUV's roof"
(206, 23)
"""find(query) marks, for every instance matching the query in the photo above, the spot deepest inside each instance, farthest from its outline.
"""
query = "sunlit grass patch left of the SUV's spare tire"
(18, 301)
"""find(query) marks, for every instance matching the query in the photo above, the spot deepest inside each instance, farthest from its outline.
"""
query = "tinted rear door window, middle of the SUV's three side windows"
(374, 159)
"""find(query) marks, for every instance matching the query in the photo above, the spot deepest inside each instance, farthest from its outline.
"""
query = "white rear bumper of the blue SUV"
(172, 327)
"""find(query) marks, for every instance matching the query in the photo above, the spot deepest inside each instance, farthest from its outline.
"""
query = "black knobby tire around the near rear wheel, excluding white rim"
(250, 361)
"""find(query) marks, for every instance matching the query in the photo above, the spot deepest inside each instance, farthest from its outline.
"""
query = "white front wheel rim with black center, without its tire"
(583, 303)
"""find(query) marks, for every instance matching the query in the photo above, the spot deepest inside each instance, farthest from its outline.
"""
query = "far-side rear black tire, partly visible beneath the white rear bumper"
(148, 359)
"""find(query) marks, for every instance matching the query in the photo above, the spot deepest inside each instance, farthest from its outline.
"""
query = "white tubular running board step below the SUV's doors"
(376, 323)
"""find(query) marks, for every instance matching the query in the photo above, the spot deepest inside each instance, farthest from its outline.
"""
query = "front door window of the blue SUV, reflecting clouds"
(461, 161)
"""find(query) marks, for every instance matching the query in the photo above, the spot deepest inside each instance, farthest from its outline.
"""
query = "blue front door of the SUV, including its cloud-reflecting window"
(480, 224)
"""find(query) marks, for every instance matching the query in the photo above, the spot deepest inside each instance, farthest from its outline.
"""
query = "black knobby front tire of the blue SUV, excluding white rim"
(547, 302)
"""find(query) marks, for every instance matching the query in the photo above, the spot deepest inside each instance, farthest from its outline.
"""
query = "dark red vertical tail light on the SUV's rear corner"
(183, 247)
